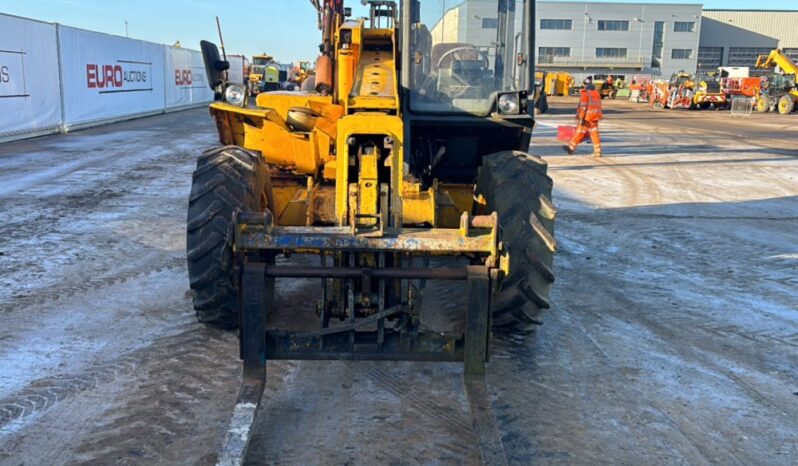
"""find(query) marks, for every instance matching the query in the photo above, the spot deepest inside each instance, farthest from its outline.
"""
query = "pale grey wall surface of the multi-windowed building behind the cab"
(584, 36)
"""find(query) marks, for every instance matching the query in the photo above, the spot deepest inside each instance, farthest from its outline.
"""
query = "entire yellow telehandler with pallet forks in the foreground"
(407, 164)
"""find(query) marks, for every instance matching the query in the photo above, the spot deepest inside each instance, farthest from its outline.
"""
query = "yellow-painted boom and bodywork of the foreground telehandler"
(311, 167)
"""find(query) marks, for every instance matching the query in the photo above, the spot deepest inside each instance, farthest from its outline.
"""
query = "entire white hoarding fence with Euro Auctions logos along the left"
(53, 78)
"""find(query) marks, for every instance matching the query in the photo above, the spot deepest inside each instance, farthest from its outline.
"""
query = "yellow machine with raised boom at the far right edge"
(778, 88)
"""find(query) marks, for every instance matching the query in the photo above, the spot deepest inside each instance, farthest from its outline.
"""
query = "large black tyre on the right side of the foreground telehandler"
(516, 186)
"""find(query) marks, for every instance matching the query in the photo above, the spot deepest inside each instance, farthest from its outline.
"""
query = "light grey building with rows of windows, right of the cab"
(626, 39)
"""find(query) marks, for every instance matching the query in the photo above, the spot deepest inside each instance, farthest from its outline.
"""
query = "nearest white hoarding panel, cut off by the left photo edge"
(30, 97)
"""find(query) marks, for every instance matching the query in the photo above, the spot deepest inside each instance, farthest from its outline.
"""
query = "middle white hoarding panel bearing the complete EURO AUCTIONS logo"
(108, 77)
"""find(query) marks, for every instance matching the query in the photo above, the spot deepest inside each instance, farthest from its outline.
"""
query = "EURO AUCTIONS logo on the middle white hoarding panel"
(123, 76)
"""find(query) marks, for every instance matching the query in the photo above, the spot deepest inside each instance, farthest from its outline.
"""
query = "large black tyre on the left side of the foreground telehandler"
(227, 179)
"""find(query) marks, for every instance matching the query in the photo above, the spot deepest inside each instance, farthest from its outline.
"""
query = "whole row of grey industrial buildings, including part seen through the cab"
(588, 38)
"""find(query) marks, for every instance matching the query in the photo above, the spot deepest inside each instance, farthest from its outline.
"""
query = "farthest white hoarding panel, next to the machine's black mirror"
(184, 78)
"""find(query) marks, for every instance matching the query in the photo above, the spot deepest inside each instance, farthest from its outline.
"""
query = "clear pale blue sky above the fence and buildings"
(283, 28)
